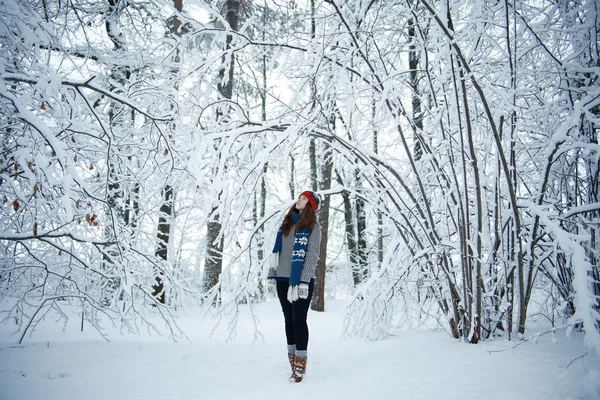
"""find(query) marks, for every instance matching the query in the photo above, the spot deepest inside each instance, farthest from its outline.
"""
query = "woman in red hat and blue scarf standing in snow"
(292, 275)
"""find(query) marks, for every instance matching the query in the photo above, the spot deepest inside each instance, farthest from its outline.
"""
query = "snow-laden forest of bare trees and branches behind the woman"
(150, 149)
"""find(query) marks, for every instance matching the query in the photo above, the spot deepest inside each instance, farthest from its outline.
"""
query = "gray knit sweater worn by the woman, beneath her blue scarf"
(284, 268)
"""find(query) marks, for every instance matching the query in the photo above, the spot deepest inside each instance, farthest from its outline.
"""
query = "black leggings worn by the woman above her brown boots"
(296, 329)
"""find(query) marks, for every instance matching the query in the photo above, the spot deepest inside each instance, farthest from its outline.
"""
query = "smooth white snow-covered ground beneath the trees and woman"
(414, 365)
